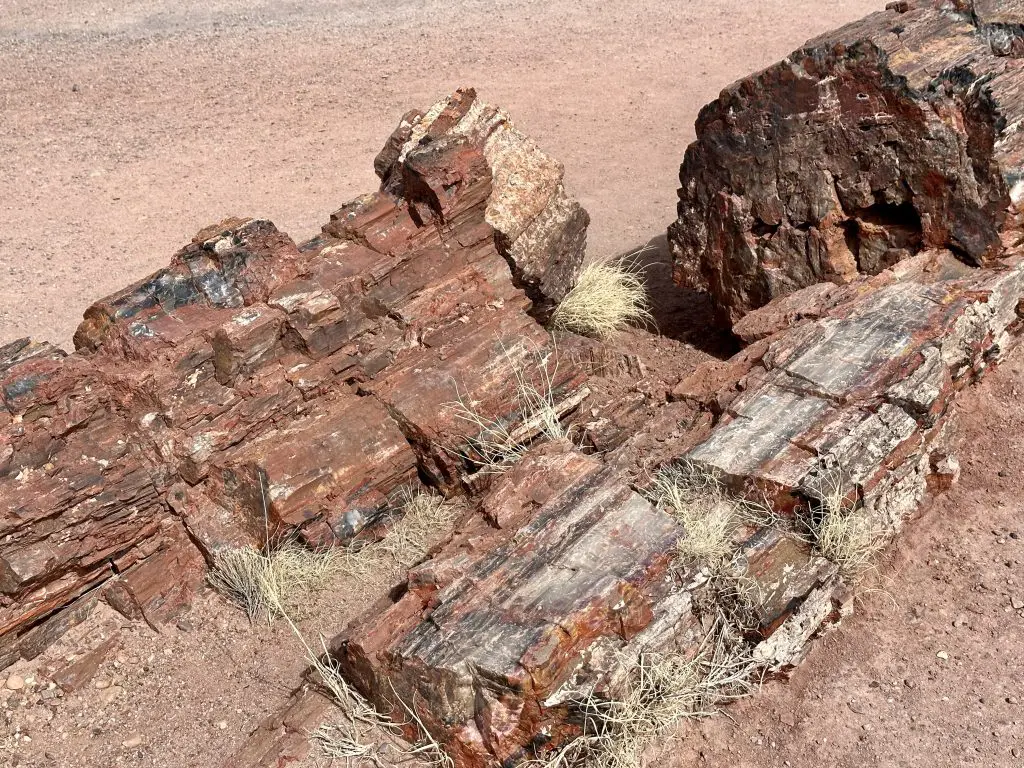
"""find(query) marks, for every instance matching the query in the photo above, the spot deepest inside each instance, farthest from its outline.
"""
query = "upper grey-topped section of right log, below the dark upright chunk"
(856, 401)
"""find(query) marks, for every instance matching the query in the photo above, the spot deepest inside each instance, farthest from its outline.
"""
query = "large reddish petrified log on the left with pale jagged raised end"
(255, 387)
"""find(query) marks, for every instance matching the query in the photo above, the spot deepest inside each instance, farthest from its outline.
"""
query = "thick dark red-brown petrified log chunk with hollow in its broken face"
(897, 134)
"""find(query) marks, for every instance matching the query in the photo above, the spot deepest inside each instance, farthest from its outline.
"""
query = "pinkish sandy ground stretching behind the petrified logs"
(129, 125)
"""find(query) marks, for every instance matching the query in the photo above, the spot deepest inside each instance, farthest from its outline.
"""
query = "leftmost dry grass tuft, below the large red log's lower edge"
(272, 584)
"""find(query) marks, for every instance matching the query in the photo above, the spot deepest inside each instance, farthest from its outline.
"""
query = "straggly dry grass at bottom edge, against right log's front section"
(663, 690)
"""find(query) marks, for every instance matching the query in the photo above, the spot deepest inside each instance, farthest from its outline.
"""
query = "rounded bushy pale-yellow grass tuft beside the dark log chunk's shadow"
(607, 298)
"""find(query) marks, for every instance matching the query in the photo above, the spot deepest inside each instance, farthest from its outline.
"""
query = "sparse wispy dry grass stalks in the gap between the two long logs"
(497, 444)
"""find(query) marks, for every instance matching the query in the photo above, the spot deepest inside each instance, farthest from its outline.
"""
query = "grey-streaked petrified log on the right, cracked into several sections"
(568, 576)
